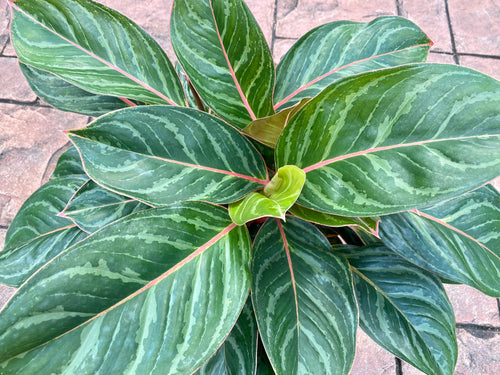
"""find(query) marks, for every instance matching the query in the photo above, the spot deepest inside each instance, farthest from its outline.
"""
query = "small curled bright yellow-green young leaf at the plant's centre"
(274, 201)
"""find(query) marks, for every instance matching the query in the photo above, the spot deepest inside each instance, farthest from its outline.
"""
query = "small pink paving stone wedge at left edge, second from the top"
(14, 86)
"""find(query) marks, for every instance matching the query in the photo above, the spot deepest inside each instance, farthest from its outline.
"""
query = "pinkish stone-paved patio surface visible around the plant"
(465, 32)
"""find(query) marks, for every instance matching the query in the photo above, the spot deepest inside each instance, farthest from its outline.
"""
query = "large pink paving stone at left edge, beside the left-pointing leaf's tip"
(30, 136)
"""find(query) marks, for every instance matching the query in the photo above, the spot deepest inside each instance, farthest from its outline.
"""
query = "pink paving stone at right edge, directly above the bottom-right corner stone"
(472, 306)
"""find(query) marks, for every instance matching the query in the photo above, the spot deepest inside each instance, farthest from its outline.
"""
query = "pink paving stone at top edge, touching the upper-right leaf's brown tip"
(430, 16)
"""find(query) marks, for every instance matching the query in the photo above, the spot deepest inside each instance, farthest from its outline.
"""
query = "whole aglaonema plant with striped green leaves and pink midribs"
(223, 216)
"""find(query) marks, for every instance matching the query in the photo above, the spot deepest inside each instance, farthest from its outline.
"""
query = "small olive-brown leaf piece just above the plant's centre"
(268, 129)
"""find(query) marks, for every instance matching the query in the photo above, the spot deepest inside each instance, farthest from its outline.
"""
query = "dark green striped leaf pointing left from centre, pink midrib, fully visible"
(163, 154)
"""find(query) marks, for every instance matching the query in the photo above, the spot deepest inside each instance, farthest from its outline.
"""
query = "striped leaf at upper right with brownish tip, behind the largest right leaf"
(344, 48)
